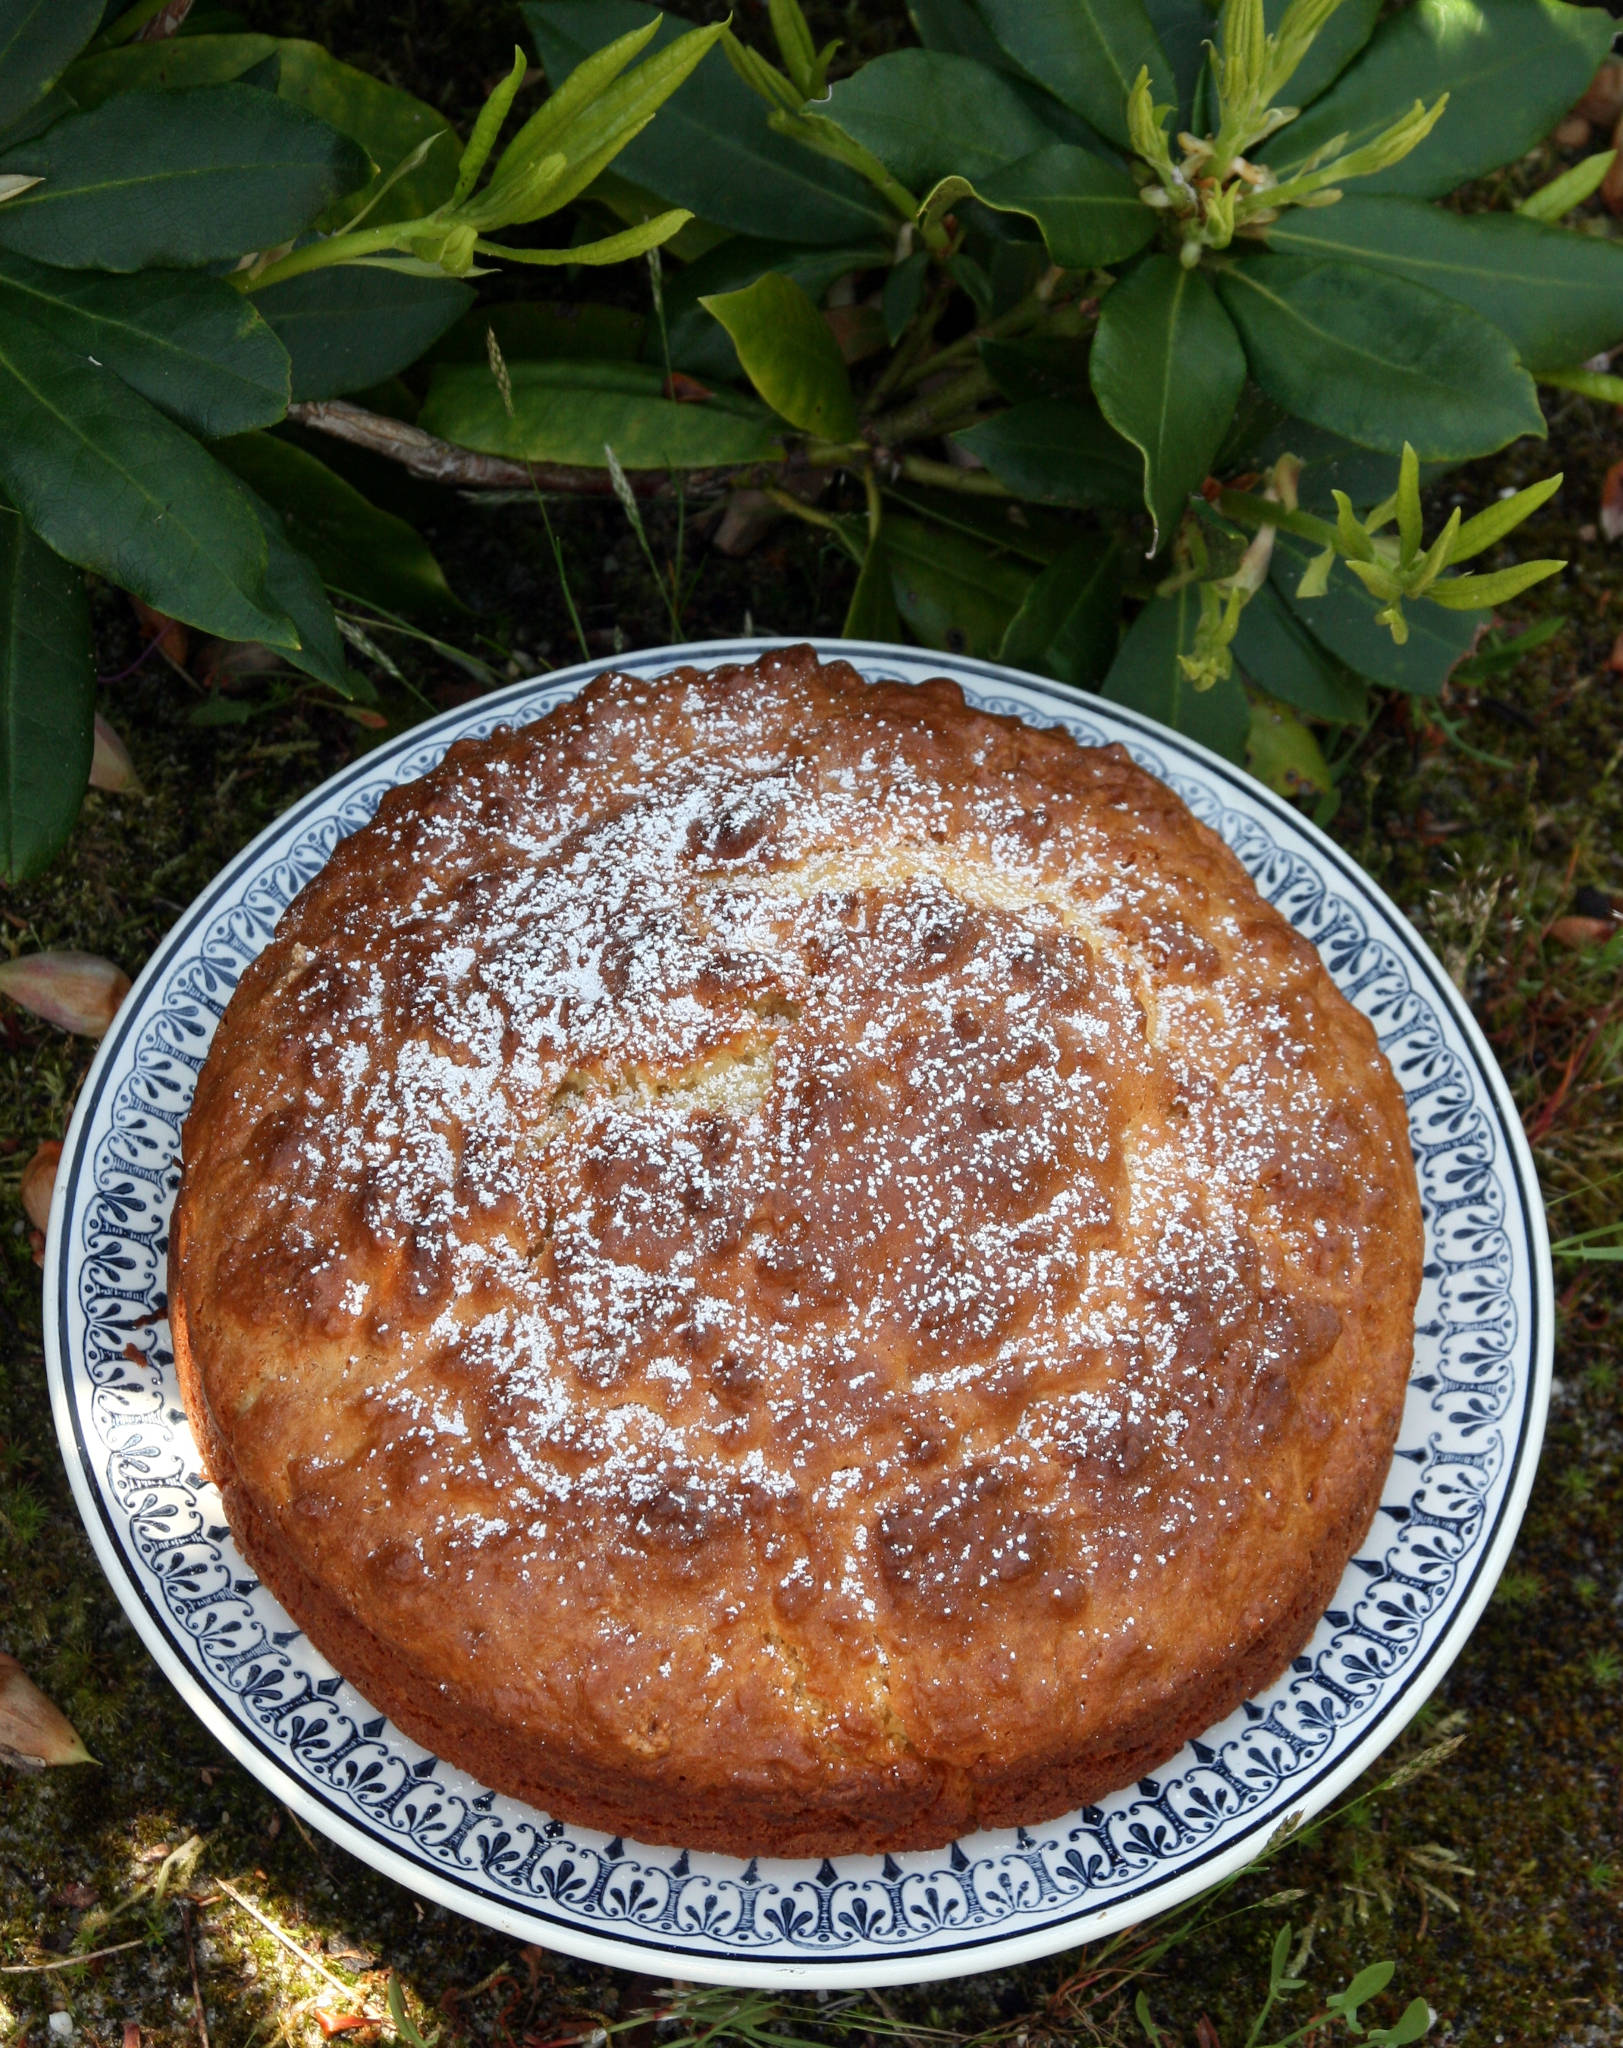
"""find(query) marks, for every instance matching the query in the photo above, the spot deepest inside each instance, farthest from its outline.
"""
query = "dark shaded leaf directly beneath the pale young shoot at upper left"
(351, 327)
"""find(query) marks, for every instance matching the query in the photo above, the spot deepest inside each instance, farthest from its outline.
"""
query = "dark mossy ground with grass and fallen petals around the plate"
(1495, 1881)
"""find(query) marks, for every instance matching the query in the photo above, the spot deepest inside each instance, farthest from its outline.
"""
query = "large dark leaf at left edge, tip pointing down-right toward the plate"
(118, 488)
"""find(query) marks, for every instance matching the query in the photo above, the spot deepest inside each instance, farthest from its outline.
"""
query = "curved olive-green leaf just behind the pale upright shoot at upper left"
(384, 122)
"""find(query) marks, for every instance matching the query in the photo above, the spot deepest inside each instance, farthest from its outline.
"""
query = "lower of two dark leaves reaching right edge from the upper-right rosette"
(1558, 296)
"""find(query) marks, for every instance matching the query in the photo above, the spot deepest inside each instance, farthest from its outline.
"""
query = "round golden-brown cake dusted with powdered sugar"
(780, 1265)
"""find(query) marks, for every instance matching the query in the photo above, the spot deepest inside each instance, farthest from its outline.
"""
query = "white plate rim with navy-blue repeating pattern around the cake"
(1458, 1486)
